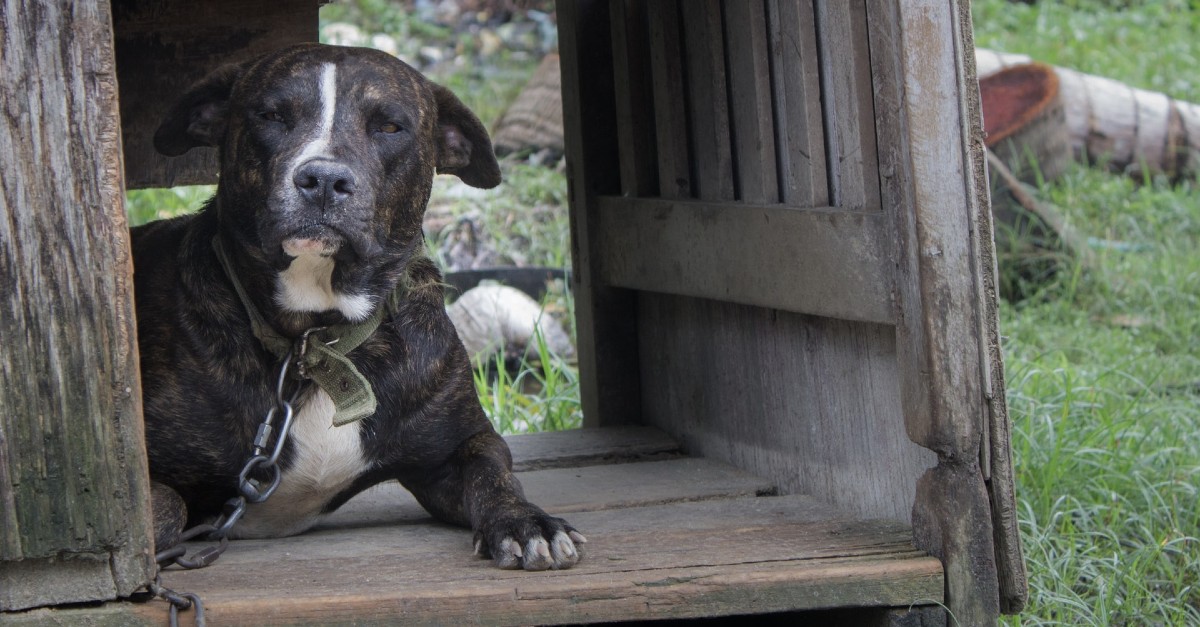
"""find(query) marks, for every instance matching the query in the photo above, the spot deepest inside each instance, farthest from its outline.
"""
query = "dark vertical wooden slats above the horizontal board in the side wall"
(746, 100)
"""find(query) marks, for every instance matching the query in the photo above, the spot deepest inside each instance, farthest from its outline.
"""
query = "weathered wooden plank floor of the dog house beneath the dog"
(673, 538)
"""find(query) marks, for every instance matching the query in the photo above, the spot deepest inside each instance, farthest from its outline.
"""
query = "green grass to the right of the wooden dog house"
(1103, 362)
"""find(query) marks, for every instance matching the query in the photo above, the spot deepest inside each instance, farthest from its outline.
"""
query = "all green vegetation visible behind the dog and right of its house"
(1103, 365)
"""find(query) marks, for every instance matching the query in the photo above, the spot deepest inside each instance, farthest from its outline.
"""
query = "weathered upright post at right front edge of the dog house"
(935, 193)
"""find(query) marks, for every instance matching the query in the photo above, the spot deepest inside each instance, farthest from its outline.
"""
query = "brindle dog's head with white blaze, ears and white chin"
(327, 160)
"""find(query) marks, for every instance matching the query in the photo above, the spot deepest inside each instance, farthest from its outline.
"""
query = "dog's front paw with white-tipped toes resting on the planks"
(530, 539)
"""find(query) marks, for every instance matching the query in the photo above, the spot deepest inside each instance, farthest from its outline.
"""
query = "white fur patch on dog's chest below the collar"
(326, 461)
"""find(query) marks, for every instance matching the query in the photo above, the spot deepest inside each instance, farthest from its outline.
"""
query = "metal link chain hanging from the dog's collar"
(250, 491)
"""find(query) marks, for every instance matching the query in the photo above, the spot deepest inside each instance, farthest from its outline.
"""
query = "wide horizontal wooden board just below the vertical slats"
(823, 262)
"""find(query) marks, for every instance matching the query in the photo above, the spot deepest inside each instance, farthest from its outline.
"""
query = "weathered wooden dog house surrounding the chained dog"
(789, 353)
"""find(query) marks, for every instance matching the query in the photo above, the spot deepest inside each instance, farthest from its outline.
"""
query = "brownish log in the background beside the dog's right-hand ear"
(535, 121)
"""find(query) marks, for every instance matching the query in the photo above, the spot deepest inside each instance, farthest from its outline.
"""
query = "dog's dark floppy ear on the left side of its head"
(199, 118)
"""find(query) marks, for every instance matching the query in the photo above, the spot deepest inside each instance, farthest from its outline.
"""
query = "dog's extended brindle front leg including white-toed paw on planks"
(511, 530)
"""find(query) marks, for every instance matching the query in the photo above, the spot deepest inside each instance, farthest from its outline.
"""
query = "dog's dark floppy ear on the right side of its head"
(464, 147)
